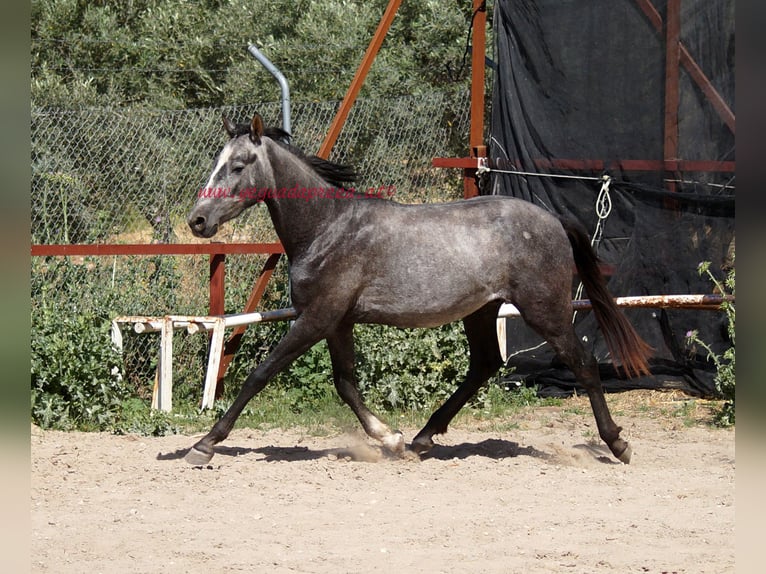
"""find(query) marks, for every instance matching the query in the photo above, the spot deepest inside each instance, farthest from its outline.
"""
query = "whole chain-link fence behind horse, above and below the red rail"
(131, 176)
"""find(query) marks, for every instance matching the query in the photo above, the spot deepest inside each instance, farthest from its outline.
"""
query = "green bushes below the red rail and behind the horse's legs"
(80, 382)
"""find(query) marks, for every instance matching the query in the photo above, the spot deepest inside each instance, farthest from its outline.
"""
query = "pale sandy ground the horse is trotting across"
(538, 496)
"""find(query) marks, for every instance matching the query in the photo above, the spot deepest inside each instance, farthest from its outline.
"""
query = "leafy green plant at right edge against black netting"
(724, 362)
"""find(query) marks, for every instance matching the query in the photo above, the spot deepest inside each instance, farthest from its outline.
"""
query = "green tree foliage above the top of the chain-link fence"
(173, 53)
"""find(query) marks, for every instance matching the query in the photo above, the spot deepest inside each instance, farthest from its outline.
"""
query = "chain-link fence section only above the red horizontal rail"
(119, 176)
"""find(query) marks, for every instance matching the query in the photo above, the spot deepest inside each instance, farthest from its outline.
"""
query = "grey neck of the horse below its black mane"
(299, 220)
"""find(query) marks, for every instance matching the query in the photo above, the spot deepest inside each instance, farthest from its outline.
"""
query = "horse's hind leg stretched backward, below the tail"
(554, 324)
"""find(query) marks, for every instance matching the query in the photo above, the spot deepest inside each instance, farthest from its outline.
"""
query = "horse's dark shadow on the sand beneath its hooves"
(495, 449)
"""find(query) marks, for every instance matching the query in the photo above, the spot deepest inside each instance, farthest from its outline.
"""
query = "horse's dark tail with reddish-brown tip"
(624, 344)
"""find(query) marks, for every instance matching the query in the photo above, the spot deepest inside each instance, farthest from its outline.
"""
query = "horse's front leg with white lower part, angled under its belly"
(341, 346)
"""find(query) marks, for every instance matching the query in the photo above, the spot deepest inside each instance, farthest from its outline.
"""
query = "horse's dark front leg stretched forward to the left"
(299, 339)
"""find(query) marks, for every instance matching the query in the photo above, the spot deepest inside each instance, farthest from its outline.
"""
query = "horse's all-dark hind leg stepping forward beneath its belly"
(485, 361)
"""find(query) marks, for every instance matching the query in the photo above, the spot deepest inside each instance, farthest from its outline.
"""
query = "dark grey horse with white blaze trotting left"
(373, 260)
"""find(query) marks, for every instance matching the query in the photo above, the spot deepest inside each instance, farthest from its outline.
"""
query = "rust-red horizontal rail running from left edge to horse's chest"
(59, 250)
